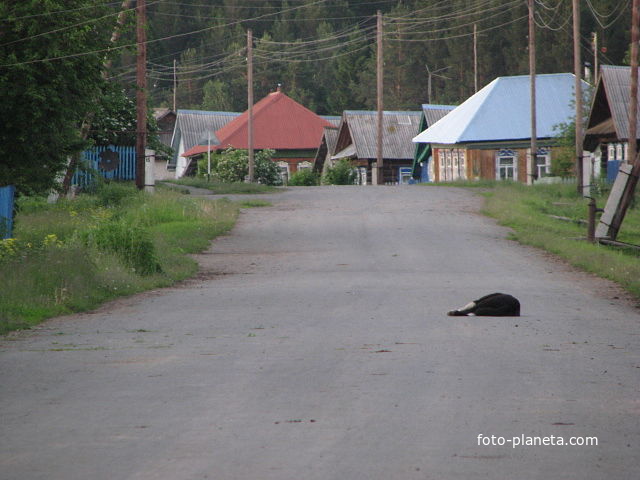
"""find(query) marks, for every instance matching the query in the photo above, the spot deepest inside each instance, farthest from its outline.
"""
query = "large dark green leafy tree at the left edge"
(48, 85)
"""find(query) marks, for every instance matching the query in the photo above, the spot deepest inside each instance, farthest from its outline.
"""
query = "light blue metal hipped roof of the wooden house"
(501, 111)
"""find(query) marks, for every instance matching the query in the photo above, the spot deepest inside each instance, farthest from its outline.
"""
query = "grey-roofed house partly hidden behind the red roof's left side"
(194, 127)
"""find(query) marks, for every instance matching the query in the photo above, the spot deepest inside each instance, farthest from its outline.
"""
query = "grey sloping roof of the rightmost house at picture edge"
(617, 85)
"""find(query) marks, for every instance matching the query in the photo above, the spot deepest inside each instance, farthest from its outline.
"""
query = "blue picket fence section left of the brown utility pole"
(111, 162)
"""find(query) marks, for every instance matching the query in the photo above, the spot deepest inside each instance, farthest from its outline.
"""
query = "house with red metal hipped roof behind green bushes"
(279, 123)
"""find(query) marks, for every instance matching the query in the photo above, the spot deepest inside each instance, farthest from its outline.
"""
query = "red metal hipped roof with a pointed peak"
(279, 123)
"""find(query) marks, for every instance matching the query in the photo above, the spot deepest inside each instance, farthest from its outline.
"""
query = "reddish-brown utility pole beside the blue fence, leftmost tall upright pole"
(141, 93)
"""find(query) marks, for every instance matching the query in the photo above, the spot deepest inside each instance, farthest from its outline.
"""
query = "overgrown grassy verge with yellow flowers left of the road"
(76, 254)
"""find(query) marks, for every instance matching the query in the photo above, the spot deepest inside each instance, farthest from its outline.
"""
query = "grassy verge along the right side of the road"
(530, 212)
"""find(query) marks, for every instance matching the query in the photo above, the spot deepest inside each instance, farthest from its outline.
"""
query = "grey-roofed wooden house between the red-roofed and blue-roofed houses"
(357, 141)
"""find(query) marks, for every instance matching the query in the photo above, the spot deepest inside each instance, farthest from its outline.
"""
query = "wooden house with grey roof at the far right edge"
(607, 133)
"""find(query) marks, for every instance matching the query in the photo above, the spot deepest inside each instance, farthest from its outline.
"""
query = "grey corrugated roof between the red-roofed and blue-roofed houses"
(398, 130)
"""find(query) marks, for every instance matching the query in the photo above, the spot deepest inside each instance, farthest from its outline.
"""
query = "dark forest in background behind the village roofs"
(323, 51)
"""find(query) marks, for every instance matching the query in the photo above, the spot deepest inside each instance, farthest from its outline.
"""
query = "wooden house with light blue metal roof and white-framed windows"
(488, 136)
